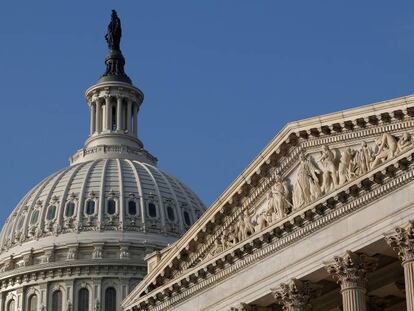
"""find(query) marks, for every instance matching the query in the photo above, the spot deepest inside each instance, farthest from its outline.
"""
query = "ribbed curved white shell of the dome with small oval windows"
(103, 195)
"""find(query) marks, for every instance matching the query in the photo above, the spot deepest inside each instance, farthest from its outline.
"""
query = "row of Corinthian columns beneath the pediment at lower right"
(350, 272)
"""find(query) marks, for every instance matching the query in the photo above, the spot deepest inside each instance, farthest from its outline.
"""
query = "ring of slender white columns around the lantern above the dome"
(102, 117)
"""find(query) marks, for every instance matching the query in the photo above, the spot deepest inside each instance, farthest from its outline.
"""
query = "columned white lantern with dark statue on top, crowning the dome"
(114, 104)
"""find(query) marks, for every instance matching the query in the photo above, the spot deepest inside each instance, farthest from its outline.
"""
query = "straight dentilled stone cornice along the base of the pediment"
(298, 225)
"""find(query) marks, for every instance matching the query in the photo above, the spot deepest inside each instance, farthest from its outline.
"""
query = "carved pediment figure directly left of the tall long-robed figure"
(277, 199)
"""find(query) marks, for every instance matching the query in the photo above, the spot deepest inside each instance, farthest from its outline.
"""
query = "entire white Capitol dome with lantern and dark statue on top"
(77, 240)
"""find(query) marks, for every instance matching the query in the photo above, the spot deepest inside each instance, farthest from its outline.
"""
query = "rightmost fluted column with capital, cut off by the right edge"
(402, 241)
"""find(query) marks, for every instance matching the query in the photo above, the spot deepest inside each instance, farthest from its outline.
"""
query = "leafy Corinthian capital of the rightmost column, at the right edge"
(402, 241)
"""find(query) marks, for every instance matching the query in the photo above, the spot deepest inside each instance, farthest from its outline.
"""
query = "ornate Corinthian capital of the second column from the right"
(351, 270)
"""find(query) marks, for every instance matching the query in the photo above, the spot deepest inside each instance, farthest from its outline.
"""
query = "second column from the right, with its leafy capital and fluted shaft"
(350, 271)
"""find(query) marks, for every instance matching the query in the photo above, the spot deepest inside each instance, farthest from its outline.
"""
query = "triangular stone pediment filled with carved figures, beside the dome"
(309, 168)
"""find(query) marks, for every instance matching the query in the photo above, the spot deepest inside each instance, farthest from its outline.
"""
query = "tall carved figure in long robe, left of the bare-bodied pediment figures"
(306, 187)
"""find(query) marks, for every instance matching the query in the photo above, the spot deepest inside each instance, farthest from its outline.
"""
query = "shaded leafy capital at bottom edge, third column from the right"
(294, 296)
